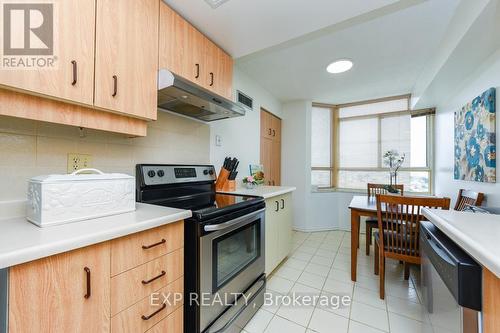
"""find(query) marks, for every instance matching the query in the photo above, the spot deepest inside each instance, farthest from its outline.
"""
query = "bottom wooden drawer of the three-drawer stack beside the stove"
(145, 314)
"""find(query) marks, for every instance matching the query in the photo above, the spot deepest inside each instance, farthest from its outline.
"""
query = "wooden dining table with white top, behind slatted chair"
(360, 205)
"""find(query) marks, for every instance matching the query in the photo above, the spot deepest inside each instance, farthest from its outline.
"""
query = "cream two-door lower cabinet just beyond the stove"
(278, 230)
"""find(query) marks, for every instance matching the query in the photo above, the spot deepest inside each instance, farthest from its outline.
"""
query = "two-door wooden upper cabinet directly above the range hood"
(188, 53)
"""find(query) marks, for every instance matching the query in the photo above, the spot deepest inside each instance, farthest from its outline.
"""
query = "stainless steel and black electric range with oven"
(224, 252)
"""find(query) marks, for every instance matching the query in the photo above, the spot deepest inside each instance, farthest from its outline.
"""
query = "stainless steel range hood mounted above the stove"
(179, 95)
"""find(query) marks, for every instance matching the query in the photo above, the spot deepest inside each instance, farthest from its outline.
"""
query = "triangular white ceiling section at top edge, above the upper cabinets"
(242, 27)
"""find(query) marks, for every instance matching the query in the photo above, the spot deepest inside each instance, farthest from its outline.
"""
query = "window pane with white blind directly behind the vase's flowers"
(395, 134)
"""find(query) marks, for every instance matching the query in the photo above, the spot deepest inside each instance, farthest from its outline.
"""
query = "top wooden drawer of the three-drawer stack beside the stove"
(133, 250)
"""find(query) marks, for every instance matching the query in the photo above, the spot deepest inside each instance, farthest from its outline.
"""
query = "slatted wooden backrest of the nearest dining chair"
(400, 217)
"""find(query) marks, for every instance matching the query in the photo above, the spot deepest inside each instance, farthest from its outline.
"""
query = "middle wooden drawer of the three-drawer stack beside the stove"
(133, 285)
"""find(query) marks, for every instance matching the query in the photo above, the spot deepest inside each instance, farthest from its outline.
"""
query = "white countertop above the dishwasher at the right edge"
(478, 234)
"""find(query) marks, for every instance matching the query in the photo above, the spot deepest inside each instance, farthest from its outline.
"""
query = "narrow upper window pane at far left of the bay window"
(321, 123)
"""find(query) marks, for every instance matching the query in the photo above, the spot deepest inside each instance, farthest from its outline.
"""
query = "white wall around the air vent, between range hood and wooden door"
(241, 136)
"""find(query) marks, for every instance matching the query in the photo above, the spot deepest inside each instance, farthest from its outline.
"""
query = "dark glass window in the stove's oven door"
(234, 251)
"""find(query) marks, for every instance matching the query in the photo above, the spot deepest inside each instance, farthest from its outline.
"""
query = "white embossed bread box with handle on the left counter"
(58, 199)
